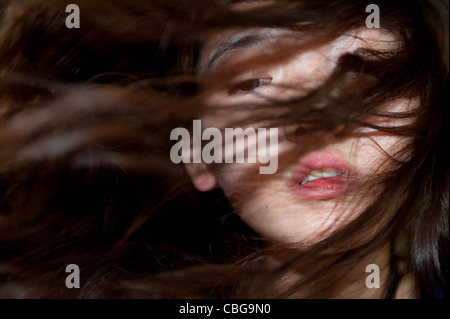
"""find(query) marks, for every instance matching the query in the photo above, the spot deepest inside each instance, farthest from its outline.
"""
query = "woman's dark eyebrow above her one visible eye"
(246, 41)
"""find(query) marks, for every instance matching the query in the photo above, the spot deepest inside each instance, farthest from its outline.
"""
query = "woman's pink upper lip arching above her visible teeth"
(321, 160)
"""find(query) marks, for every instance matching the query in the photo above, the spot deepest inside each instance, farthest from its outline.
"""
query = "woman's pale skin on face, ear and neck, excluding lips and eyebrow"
(266, 202)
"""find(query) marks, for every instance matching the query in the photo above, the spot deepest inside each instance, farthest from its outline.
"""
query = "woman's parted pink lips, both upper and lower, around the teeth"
(325, 187)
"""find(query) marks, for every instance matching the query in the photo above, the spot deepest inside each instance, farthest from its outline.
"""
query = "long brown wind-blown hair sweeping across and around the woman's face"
(85, 174)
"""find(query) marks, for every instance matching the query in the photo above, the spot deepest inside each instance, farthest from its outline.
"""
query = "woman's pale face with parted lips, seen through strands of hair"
(317, 187)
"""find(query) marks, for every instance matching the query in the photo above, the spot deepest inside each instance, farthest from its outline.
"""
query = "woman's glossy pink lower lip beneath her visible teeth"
(323, 188)
